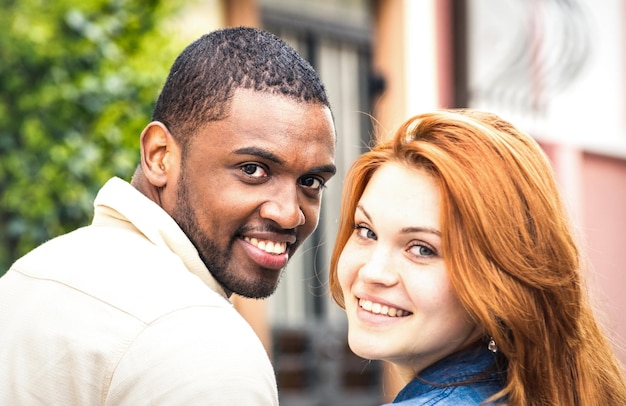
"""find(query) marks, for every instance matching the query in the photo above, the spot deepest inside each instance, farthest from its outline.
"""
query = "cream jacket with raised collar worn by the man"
(124, 312)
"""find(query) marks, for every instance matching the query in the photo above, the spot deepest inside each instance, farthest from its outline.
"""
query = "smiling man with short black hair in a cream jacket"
(134, 308)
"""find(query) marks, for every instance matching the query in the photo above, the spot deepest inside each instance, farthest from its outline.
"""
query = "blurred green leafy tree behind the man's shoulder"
(78, 81)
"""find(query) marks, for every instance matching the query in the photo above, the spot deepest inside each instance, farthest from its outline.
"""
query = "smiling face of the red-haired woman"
(398, 298)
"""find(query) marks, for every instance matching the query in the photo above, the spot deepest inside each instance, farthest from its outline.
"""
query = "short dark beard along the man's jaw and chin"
(217, 260)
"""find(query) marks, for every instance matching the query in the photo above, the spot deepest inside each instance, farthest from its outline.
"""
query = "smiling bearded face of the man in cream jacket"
(250, 188)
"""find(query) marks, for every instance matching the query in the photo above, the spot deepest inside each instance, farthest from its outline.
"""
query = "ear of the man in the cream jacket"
(158, 153)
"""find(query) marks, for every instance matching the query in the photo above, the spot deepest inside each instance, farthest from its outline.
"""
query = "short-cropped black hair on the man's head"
(203, 78)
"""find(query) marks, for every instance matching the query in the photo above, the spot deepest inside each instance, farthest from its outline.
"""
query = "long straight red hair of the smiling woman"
(509, 250)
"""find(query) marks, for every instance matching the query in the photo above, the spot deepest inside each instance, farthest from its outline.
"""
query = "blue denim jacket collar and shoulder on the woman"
(468, 365)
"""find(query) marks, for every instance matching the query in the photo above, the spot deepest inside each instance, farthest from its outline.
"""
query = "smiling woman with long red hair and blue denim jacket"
(455, 261)
